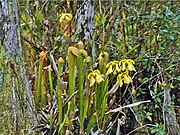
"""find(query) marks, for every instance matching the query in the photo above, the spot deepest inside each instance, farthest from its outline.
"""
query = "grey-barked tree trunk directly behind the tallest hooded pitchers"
(85, 24)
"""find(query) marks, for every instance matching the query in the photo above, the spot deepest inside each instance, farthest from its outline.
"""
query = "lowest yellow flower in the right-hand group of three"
(123, 78)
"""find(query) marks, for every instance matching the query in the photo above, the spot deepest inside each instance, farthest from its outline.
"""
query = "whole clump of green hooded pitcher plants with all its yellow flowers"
(83, 97)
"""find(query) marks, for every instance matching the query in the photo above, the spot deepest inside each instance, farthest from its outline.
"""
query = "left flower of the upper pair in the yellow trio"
(113, 67)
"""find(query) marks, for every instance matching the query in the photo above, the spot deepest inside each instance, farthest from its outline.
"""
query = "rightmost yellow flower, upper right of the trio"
(127, 64)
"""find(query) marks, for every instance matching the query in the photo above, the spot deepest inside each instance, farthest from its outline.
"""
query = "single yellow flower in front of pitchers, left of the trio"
(95, 76)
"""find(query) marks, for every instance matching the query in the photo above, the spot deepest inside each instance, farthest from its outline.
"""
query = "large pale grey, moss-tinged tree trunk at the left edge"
(10, 39)
